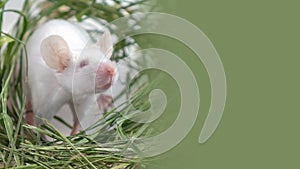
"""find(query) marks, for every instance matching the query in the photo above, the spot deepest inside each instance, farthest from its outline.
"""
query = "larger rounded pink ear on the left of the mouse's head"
(55, 52)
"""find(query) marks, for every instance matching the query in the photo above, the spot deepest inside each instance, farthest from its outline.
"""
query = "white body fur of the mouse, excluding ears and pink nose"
(51, 89)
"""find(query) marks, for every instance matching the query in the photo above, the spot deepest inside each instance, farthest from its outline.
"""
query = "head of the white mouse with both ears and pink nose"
(88, 71)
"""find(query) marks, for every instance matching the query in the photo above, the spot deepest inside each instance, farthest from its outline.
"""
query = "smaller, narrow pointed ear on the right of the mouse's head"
(105, 44)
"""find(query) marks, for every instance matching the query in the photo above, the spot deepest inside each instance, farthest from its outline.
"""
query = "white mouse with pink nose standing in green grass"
(64, 69)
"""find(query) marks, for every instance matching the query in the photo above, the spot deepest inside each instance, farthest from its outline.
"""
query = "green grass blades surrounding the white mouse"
(22, 145)
